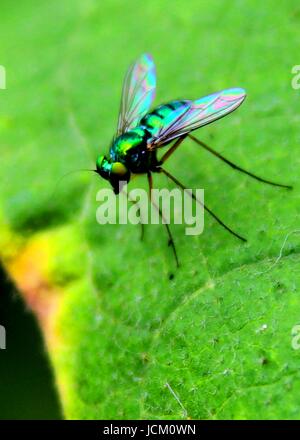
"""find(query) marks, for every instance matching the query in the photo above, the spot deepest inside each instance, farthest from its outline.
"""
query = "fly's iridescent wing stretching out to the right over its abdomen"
(195, 114)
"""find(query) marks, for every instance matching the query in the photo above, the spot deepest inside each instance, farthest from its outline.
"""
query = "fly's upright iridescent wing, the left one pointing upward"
(138, 93)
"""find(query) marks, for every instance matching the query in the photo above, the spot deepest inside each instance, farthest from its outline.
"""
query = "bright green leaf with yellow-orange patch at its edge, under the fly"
(125, 341)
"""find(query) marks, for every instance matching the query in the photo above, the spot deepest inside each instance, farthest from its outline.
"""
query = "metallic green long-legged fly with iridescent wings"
(140, 132)
